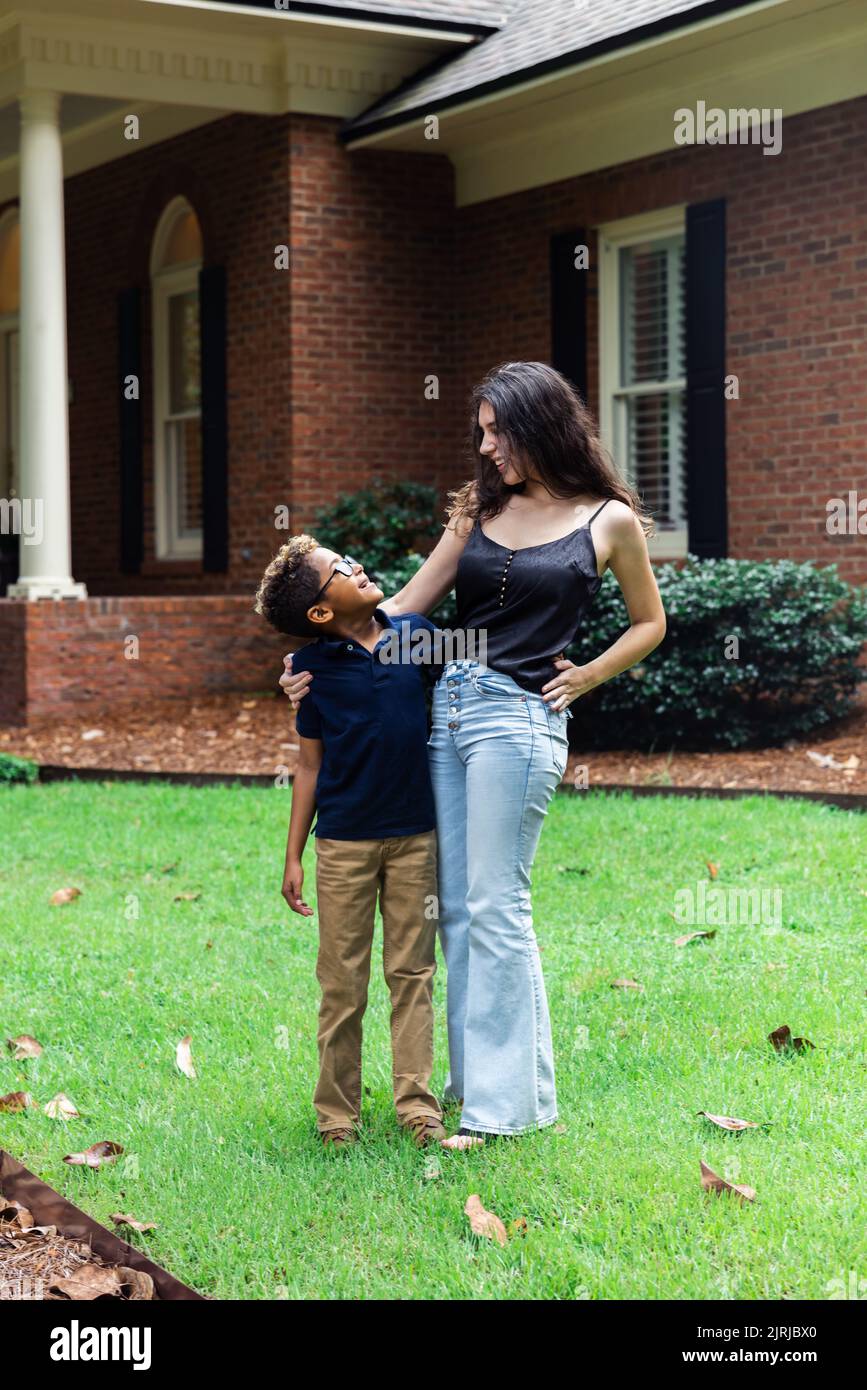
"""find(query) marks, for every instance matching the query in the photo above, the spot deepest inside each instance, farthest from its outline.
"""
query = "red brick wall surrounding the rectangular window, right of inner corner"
(797, 312)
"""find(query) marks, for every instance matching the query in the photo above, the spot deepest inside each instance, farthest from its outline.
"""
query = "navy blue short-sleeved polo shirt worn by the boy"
(372, 718)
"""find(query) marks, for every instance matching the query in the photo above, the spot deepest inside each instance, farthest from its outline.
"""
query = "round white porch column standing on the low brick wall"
(45, 554)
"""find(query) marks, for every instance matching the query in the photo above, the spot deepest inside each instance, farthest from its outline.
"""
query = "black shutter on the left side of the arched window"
(130, 365)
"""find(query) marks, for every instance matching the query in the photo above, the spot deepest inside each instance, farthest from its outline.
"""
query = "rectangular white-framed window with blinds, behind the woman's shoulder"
(643, 365)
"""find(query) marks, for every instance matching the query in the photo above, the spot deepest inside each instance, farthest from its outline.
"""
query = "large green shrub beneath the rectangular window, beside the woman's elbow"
(794, 668)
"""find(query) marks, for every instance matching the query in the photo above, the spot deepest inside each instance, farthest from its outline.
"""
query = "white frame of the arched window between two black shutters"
(165, 284)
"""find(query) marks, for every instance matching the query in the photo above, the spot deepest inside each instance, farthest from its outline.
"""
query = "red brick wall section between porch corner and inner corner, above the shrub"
(373, 308)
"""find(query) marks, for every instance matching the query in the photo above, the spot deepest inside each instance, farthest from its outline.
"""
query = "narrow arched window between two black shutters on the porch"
(174, 276)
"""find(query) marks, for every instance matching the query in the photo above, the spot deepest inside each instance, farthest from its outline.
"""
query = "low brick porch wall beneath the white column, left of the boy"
(60, 657)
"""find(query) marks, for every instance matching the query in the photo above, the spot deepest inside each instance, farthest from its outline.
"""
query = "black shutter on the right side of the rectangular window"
(707, 505)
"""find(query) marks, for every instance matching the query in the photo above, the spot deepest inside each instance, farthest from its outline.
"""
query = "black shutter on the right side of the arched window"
(215, 441)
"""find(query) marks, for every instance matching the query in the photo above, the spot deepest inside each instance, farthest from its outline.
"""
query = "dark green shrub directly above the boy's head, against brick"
(381, 525)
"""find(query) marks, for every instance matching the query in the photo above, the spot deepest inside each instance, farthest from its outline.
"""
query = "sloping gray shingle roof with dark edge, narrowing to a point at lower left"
(536, 33)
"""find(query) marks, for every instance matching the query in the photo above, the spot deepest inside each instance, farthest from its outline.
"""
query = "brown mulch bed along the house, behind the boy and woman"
(256, 736)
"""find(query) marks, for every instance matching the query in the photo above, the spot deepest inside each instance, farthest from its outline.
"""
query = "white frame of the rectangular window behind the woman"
(672, 543)
